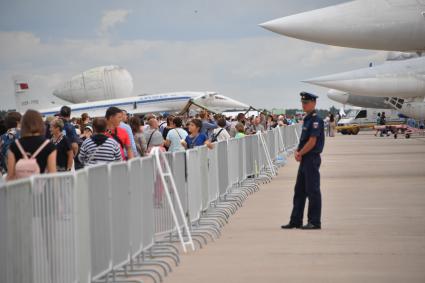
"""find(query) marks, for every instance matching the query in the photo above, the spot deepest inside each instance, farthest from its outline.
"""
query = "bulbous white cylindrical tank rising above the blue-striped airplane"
(101, 83)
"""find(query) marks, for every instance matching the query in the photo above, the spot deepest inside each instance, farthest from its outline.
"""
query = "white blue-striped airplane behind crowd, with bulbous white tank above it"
(97, 89)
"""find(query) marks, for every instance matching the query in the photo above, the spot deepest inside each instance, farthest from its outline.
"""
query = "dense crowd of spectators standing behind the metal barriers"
(31, 145)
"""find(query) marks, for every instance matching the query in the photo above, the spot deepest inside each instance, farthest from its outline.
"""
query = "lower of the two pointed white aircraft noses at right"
(401, 84)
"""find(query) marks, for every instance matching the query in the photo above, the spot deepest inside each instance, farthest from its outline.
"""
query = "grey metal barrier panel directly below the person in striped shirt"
(100, 220)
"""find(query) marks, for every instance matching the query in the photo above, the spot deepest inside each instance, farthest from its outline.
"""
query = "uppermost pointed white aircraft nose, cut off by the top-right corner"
(393, 25)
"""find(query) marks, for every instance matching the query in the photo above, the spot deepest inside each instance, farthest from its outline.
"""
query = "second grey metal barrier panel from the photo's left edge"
(54, 229)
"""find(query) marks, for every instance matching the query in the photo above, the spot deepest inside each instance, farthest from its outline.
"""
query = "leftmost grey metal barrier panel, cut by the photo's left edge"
(16, 257)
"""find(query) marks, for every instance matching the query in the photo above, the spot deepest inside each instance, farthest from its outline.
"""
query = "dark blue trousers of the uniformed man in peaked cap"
(308, 186)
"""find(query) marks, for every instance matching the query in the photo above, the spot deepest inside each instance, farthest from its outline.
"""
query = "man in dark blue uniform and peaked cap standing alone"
(308, 180)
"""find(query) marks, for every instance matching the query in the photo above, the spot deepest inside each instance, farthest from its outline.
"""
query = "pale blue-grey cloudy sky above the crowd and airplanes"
(170, 46)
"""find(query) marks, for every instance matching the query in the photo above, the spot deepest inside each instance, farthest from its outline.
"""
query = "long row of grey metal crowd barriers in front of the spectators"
(94, 223)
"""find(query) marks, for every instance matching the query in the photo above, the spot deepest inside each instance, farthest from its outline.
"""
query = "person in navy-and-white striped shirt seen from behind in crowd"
(99, 148)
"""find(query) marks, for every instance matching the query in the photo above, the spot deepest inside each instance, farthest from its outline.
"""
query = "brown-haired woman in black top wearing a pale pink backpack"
(32, 153)
